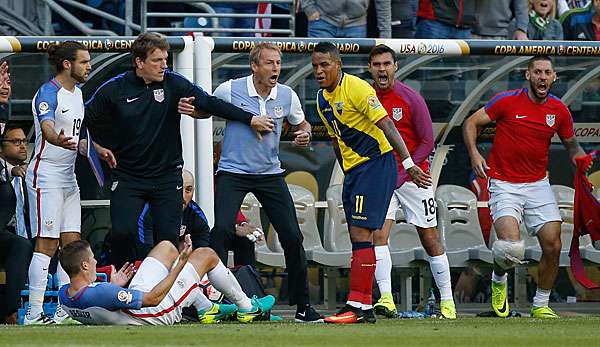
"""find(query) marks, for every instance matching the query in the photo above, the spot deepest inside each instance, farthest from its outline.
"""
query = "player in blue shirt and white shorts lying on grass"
(165, 283)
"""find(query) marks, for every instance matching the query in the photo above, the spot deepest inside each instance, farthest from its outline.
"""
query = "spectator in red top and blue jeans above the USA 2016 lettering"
(445, 19)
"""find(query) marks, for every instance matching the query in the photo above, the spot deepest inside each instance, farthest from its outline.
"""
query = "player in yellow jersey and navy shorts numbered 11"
(363, 138)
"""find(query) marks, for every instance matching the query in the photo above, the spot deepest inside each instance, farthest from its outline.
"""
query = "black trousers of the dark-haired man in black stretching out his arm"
(127, 200)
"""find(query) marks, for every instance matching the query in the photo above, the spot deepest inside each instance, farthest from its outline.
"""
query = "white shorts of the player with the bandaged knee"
(532, 203)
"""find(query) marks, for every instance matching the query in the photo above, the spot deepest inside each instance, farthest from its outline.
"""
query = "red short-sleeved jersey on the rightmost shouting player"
(524, 131)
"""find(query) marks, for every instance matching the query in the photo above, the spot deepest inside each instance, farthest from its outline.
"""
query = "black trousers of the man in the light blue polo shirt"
(273, 194)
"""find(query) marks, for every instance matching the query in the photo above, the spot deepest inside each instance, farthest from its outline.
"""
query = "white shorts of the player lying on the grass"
(182, 294)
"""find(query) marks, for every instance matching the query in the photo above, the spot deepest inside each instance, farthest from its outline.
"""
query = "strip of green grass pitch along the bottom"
(572, 331)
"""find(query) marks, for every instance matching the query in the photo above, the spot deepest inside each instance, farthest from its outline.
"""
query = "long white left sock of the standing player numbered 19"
(38, 280)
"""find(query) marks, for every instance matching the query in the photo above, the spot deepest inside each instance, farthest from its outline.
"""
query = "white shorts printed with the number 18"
(417, 204)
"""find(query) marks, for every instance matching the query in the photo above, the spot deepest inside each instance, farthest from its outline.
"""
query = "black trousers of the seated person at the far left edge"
(15, 256)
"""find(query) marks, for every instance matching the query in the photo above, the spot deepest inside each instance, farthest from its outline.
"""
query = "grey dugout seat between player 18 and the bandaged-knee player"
(458, 223)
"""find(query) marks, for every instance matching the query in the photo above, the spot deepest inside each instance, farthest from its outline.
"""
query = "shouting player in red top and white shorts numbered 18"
(410, 115)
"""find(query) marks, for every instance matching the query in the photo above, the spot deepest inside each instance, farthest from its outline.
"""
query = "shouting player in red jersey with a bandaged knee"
(526, 120)
